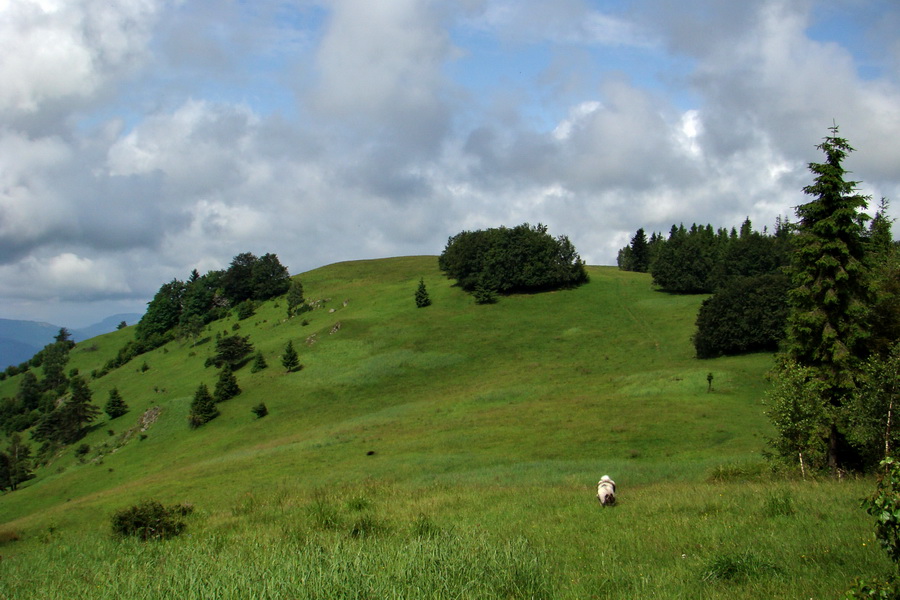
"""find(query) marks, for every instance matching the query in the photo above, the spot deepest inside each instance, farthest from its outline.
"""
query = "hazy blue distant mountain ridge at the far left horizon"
(20, 340)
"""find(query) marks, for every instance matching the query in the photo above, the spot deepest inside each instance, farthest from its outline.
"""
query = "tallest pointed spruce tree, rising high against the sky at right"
(827, 325)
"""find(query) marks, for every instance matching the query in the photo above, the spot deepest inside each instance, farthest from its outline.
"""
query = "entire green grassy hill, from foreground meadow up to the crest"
(450, 451)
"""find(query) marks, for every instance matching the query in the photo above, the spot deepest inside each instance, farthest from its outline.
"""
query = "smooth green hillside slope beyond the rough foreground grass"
(538, 388)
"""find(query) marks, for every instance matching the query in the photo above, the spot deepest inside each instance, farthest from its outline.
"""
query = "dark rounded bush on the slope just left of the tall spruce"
(747, 315)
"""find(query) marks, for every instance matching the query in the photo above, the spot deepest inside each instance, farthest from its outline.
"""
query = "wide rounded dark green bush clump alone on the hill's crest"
(504, 260)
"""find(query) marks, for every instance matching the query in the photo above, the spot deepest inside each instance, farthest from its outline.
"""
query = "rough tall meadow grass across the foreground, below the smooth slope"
(675, 540)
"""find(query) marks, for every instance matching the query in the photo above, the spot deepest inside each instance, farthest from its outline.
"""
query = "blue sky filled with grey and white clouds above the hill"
(141, 139)
